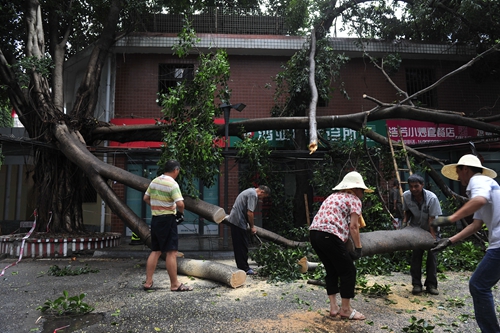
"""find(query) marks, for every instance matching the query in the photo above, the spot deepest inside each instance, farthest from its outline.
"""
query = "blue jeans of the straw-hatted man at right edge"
(484, 278)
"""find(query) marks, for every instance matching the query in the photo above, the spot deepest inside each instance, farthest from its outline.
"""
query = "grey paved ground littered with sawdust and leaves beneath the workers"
(257, 307)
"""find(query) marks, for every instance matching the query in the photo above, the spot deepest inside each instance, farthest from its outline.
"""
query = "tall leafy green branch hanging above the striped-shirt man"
(189, 133)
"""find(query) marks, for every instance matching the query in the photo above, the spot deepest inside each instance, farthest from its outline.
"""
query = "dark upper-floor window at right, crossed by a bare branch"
(418, 79)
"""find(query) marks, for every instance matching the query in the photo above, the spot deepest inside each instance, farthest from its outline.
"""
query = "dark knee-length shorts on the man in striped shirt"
(164, 235)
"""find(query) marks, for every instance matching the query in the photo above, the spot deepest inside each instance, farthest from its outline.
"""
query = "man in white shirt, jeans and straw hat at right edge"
(484, 204)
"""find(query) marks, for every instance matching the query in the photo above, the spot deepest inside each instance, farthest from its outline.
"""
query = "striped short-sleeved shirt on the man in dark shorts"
(164, 192)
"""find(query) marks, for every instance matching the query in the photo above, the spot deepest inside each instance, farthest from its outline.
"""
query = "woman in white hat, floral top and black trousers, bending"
(337, 219)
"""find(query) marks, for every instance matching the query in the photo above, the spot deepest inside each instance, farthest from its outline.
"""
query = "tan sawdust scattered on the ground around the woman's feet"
(450, 311)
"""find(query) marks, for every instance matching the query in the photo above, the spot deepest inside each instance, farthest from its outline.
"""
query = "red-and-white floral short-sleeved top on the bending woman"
(334, 215)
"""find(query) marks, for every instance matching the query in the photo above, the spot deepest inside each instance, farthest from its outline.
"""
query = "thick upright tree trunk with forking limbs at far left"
(59, 183)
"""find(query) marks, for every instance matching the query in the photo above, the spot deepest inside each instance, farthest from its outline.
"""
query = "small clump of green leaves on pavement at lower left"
(66, 305)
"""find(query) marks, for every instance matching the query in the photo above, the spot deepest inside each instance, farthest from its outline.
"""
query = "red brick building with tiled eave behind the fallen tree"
(136, 69)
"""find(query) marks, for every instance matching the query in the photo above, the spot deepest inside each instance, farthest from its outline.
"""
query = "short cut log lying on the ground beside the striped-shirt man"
(211, 270)
